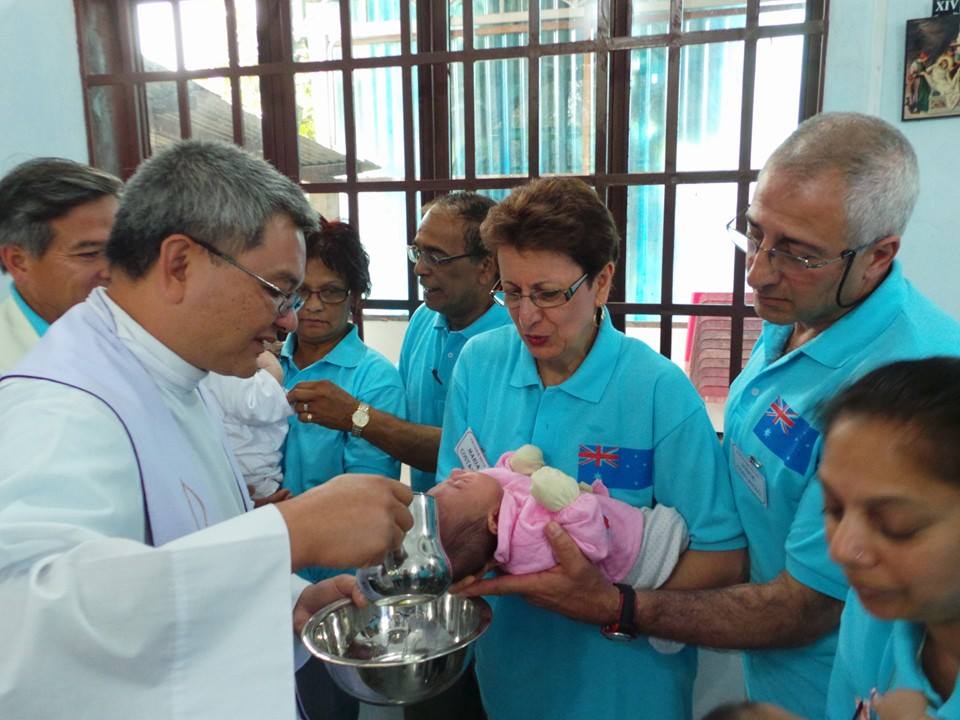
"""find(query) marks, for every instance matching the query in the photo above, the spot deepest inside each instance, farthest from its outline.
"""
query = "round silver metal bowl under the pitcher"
(400, 651)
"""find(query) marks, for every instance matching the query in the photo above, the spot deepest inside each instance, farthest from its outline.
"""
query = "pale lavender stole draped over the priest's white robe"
(82, 350)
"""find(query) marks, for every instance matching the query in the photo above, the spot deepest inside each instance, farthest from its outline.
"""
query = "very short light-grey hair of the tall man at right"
(875, 161)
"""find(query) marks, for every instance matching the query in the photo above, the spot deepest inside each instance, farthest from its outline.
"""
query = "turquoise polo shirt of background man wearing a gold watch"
(429, 351)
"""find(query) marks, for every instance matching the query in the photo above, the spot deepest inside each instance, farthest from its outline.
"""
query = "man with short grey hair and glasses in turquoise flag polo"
(820, 236)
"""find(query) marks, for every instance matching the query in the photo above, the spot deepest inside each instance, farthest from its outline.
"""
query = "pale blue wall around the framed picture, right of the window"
(865, 73)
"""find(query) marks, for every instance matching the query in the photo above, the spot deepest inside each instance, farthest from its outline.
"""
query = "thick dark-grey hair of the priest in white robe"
(211, 191)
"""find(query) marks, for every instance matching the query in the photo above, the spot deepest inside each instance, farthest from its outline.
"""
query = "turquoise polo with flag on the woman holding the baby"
(629, 416)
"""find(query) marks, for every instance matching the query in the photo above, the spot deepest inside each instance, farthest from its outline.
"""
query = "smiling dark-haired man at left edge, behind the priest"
(55, 217)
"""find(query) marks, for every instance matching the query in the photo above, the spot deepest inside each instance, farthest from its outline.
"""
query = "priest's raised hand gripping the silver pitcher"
(349, 521)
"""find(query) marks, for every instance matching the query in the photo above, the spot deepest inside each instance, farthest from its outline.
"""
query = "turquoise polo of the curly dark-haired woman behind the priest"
(313, 454)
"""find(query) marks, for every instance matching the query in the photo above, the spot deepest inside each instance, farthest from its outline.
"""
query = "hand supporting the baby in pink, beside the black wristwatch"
(573, 587)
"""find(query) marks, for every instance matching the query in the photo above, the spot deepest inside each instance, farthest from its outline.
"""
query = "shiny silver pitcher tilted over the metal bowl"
(418, 569)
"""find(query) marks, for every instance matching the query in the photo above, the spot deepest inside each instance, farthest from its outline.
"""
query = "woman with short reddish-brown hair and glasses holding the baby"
(601, 406)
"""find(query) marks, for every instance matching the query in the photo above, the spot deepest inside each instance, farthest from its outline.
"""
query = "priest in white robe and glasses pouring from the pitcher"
(136, 579)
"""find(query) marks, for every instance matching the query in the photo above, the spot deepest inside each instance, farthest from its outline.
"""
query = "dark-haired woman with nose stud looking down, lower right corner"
(891, 486)
